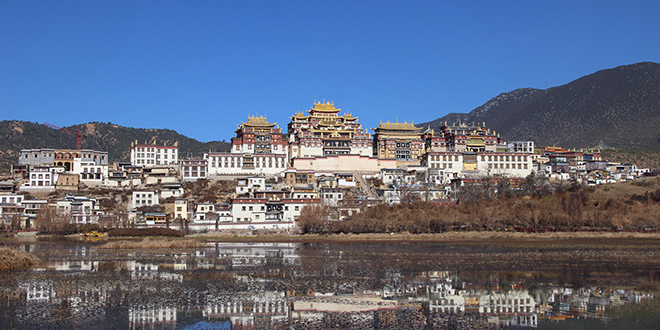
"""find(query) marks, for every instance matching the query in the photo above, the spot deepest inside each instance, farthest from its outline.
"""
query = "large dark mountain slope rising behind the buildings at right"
(619, 107)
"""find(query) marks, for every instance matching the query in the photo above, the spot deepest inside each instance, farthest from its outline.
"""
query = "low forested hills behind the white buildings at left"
(115, 139)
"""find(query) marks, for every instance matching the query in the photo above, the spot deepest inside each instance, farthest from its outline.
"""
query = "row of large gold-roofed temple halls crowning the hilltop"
(324, 139)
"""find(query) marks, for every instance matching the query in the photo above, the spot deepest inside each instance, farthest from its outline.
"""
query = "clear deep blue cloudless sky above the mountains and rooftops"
(201, 67)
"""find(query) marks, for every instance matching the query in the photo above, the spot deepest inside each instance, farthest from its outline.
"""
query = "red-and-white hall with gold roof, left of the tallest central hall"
(258, 148)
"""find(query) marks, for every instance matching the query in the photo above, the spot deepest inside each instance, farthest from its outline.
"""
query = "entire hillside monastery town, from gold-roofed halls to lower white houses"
(325, 157)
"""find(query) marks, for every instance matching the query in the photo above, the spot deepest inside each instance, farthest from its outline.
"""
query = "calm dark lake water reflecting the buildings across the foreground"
(565, 285)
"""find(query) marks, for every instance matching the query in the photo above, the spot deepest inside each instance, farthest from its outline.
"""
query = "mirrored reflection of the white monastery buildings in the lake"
(250, 266)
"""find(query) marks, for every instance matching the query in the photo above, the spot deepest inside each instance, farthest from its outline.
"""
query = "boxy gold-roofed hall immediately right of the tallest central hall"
(401, 141)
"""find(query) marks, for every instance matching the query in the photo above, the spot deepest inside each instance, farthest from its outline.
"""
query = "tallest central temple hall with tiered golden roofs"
(323, 132)
